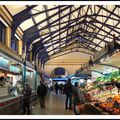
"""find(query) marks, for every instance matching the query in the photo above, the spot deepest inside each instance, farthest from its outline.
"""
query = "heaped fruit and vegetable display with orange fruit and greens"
(104, 94)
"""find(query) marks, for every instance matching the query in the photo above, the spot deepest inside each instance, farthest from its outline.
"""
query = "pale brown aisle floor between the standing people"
(55, 105)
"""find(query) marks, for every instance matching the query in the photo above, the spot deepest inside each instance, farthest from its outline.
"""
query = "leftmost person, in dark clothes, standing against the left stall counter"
(27, 91)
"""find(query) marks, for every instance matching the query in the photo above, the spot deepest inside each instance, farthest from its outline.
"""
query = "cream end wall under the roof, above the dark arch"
(70, 62)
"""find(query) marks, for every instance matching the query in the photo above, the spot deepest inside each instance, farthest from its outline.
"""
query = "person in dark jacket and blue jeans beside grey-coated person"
(69, 92)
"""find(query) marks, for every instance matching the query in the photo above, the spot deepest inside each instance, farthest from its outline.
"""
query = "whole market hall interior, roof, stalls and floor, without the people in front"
(55, 43)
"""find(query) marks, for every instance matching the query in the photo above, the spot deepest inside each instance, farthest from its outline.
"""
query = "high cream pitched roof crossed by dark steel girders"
(54, 29)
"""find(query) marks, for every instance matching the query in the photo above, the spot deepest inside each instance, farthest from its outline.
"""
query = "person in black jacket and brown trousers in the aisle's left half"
(42, 92)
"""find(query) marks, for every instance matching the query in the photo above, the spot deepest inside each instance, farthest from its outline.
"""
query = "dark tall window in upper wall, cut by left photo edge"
(2, 32)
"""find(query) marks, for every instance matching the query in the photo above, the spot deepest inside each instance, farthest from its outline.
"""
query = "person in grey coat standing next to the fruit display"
(78, 97)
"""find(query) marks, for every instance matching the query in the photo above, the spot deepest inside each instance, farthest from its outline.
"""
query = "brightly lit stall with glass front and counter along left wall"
(11, 84)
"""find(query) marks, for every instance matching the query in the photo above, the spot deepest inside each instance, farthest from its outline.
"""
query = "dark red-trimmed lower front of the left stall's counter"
(13, 105)
